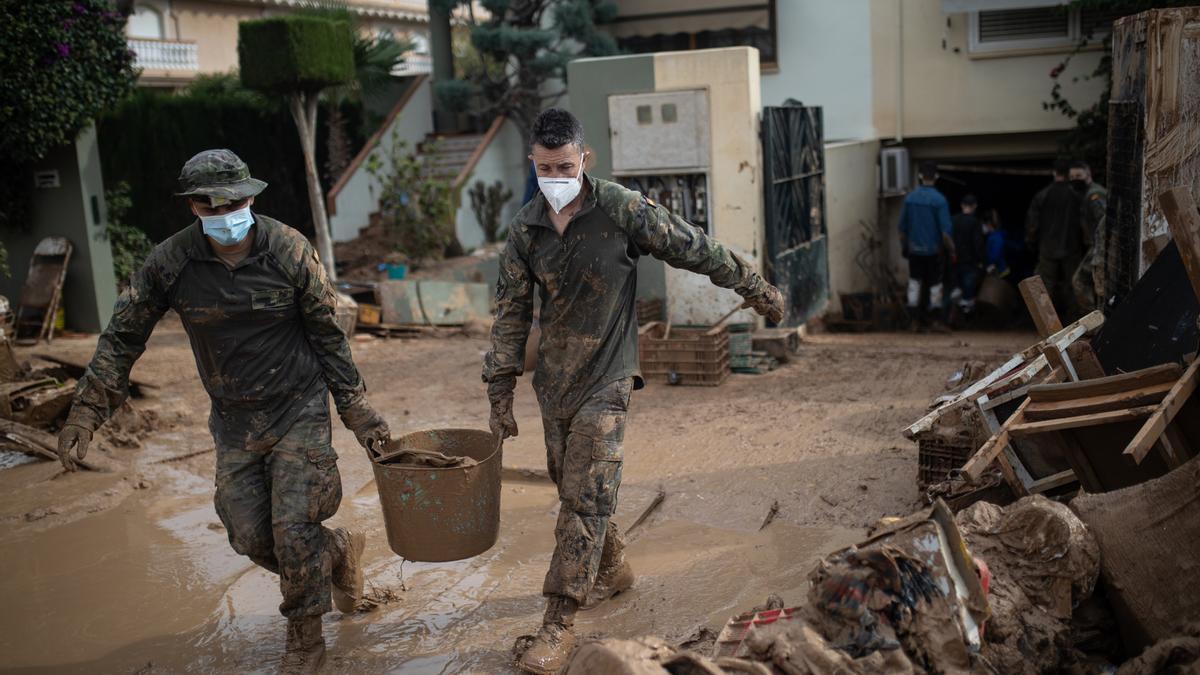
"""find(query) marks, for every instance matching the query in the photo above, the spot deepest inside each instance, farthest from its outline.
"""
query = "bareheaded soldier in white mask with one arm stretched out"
(579, 241)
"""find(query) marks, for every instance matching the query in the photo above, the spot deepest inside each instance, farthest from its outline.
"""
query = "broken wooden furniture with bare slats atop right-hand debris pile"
(1105, 429)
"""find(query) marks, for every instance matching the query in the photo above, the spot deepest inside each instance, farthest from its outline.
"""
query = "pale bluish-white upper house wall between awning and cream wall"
(825, 59)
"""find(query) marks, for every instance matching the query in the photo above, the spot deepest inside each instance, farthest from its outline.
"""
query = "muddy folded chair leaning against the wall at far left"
(43, 292)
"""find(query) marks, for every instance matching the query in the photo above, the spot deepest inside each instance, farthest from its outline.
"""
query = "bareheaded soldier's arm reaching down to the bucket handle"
(511, 332)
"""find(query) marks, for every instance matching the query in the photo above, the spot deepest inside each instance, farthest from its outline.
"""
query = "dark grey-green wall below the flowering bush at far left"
(75, 211)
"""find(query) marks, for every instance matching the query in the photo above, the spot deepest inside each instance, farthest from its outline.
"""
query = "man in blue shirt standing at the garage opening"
(925, 230)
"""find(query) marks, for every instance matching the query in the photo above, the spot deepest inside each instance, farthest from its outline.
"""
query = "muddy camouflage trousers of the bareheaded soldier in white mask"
(584, 455)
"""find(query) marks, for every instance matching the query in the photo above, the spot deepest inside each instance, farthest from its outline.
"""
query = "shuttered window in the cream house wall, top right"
(1037, 28)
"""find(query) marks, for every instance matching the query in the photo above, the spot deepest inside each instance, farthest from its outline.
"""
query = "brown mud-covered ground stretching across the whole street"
(130, 571)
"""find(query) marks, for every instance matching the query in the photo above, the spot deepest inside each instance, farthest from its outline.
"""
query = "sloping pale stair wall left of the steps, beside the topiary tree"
(358, 198)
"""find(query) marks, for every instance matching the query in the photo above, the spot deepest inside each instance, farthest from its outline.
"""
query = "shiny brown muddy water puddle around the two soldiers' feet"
(154, 587)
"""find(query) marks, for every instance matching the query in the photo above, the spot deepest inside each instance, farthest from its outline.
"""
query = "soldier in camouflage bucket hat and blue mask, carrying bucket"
(259, 309)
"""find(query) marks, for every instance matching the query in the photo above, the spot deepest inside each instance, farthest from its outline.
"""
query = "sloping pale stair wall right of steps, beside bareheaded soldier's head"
(505, 160)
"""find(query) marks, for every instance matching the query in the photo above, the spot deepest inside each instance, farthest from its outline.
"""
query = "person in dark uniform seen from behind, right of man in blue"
(1052, 229)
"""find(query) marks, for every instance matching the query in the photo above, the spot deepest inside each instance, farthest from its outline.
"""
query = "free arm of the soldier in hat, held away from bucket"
(105, 386)
